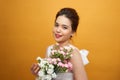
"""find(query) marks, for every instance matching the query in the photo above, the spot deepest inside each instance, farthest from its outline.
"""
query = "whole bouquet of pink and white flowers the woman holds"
(58, 62)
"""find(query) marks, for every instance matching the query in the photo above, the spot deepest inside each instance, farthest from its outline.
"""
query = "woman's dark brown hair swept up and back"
(71, 14)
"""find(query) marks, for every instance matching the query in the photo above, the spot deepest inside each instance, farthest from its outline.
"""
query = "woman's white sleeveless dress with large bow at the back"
(69, 75)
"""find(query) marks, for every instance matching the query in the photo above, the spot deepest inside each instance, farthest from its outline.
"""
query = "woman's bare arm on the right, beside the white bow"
(78, 67)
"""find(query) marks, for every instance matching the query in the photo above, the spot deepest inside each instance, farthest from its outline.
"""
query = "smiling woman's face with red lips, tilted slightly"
(62, 30)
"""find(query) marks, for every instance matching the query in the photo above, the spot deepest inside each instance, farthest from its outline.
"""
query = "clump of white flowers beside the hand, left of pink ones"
(45, 67)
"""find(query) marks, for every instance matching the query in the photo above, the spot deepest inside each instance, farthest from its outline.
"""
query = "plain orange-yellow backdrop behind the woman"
(25, 33)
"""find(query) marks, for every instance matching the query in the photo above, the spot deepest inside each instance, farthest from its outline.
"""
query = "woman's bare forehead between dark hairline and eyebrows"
(63, 20)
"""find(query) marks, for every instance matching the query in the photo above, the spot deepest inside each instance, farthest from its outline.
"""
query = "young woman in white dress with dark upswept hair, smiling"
(66, 23)
